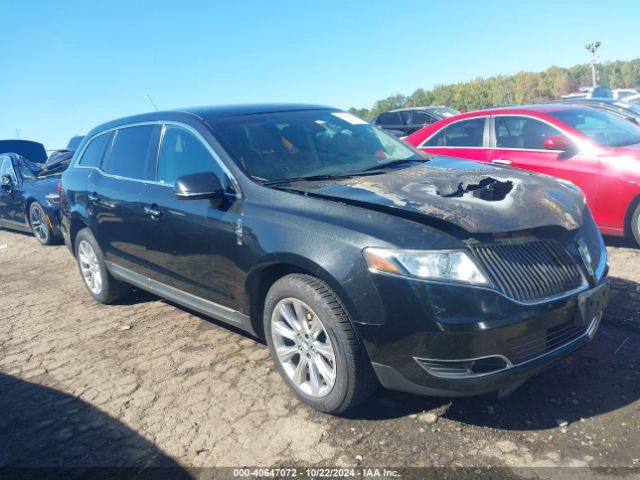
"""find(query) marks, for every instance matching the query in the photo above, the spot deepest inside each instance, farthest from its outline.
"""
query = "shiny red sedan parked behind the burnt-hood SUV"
(591, 148)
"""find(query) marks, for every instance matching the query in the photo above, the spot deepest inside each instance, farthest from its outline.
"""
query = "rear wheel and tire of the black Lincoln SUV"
(102, 286)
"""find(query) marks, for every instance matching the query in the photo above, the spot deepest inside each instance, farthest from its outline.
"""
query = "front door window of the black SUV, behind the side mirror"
(182, 153)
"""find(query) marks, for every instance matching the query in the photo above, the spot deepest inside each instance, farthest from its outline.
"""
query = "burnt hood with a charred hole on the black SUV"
(477, 197)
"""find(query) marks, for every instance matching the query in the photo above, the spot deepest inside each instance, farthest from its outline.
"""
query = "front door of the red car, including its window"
(518, 141)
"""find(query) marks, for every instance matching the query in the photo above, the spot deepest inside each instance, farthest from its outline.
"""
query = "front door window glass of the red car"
(522, 132)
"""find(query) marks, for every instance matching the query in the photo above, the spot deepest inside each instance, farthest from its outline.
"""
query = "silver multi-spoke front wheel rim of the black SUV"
(303, 347)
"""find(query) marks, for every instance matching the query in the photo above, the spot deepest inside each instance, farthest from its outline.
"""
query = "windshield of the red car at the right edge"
(606, 129)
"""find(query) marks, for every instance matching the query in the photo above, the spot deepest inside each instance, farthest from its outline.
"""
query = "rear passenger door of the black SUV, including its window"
(115, 192)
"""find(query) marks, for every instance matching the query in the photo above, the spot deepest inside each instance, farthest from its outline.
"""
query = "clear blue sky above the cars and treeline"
(70, 65)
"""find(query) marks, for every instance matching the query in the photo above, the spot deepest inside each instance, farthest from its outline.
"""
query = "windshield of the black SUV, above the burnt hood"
(288, 145)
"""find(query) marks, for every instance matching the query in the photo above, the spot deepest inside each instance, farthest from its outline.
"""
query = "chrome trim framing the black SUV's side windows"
(234, 183)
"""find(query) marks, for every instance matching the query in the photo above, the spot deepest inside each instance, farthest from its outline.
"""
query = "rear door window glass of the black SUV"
(131, 151)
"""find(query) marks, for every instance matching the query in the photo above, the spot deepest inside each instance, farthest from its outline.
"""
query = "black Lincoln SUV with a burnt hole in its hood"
(359, 259)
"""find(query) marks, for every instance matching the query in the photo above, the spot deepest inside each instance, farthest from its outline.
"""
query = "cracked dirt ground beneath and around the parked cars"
(147, 383)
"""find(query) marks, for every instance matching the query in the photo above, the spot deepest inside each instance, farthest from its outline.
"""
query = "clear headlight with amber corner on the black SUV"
(443, 265)
